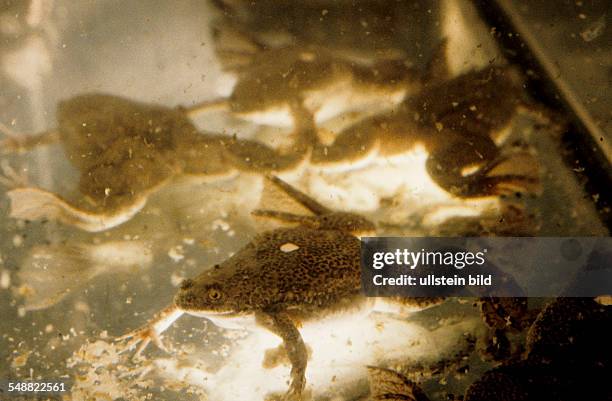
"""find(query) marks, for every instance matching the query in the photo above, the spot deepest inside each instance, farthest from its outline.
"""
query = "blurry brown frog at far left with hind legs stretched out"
(126, 150)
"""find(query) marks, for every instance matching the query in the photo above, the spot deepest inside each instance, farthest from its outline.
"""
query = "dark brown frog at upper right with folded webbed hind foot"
(460, 122)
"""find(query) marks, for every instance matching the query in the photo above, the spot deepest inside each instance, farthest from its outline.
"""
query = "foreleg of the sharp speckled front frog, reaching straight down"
(280, 324)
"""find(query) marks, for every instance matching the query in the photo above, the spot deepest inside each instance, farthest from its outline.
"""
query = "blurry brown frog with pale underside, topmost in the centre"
(277, 80)
